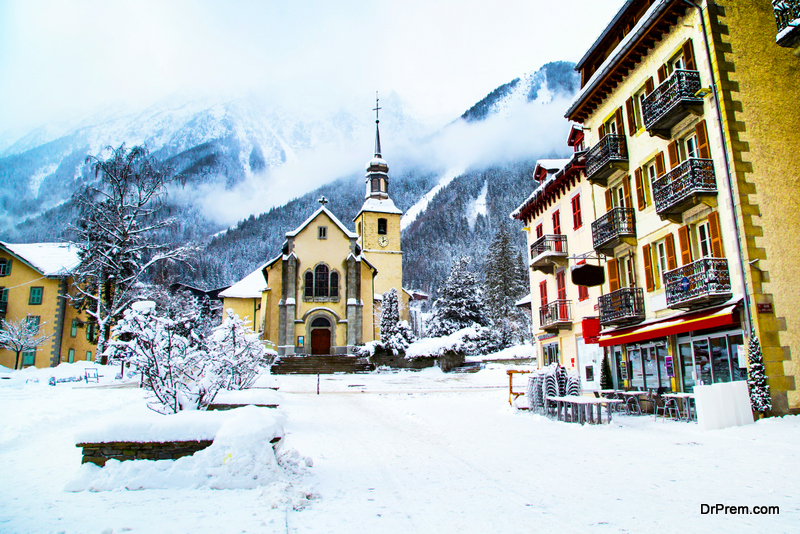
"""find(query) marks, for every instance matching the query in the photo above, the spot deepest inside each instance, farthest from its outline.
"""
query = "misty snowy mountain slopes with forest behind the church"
(456, 186)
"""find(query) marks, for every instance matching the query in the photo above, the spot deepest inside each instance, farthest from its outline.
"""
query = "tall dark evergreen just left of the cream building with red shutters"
(505, 282)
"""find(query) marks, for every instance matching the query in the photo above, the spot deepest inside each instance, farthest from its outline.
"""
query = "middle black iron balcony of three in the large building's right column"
(690, 183)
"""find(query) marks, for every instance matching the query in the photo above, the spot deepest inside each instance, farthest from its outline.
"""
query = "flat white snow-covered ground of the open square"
(411, 452)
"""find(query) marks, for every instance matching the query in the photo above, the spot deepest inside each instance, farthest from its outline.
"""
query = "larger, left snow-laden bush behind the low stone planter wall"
(172, 364)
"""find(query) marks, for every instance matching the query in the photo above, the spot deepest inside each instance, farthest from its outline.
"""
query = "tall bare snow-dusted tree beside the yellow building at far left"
(118, 217)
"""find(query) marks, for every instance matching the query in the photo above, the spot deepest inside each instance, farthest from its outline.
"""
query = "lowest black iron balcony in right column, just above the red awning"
(705, 281)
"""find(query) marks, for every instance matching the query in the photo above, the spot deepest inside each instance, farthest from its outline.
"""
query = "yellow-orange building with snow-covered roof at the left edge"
(34, 282)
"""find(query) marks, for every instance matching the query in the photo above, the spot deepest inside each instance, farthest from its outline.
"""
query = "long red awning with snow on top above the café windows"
(674, 325)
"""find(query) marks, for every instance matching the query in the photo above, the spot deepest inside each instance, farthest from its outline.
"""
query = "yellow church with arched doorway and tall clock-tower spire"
(322, 294)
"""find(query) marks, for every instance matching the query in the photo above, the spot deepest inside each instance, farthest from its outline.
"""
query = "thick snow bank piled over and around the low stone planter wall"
(240, 457)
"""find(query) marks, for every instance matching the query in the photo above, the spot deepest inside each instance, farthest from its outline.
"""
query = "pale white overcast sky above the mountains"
(59, 58)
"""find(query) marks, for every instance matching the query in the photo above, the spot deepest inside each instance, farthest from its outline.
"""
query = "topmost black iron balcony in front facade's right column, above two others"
(671, 102)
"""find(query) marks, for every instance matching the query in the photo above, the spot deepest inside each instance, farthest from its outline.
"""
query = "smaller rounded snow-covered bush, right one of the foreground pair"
(236, 354)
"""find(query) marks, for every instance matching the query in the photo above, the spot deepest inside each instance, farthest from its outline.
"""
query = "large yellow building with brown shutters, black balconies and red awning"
(689, 113)
